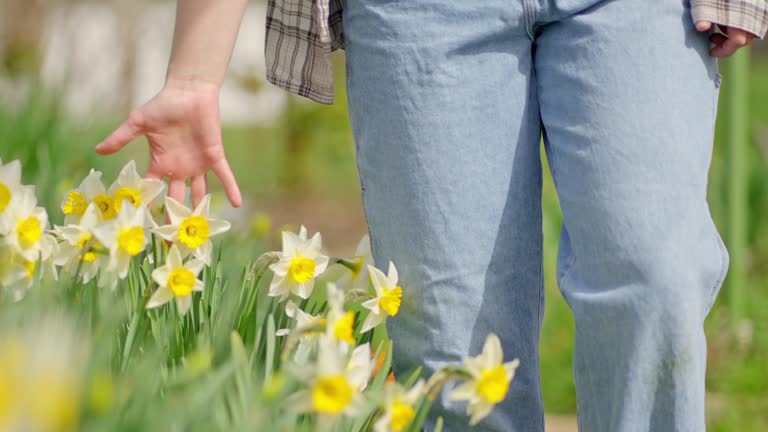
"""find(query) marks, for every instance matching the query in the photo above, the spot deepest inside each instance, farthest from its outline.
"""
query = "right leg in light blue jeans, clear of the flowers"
(628, 94)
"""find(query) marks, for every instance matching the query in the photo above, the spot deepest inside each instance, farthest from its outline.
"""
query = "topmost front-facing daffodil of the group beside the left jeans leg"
(301, 261)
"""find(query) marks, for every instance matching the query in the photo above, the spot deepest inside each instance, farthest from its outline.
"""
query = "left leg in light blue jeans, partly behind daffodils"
(447, 137)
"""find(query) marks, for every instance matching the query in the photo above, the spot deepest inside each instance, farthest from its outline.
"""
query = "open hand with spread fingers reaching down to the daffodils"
(183, 128)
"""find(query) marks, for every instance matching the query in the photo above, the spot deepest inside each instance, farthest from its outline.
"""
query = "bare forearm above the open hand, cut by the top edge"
(205, 35)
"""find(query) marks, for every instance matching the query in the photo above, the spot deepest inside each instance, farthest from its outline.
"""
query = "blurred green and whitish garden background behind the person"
(70, 70)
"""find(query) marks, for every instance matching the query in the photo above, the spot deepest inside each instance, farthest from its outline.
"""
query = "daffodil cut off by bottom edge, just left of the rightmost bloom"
(399, 407)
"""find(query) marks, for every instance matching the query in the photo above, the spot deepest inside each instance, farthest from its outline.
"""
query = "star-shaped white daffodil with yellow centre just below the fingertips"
(191, 231)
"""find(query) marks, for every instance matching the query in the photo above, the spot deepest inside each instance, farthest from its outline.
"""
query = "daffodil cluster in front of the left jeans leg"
(323, 347)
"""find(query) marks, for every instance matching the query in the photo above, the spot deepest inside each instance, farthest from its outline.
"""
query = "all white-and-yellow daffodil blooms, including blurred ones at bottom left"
(110, 232)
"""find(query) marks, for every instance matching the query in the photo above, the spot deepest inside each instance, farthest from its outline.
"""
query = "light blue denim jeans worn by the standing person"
(448, 102)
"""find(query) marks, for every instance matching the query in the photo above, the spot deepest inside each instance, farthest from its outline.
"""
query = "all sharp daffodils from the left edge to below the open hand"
(104, 230)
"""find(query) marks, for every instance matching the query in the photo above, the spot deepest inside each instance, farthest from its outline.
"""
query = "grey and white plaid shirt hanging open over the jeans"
(301, 34)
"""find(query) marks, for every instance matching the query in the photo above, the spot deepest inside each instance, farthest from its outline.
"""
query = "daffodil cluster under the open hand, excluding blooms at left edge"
(108, 228)
